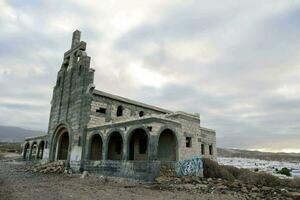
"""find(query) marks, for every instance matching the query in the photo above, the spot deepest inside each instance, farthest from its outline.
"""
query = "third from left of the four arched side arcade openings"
(138, 145)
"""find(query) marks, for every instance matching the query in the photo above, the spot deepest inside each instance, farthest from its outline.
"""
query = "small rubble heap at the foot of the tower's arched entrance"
(53, 167)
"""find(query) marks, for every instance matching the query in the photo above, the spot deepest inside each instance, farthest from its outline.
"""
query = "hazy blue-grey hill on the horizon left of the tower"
(16, 134)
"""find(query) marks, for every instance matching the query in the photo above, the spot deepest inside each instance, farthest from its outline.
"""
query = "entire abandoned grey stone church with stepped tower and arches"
(96, 131)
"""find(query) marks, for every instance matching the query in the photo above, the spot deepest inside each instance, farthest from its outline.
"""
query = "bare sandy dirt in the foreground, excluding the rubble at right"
(16, 184)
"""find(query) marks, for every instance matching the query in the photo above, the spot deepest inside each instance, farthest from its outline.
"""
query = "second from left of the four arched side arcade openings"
(115, 146)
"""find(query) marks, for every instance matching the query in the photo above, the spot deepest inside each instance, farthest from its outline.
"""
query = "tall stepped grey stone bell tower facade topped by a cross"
(71, 100)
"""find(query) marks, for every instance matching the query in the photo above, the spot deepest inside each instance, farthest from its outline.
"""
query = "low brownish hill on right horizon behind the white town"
(289, 157)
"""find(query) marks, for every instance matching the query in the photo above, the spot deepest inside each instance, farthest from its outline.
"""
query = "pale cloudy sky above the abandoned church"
(235, 62)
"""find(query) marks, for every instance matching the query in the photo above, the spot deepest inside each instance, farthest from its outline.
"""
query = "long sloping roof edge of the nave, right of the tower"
(129, 101)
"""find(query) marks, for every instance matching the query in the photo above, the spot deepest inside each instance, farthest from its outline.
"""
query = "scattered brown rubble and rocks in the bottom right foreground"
(209, 185)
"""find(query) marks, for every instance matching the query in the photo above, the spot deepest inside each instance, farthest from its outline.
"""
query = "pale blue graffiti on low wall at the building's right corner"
(190, 167)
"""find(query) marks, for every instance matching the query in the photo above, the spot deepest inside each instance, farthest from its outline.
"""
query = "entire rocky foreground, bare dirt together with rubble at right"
(20, 181)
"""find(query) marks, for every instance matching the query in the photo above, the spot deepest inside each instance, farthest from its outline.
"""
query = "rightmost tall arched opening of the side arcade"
(167, 146)
